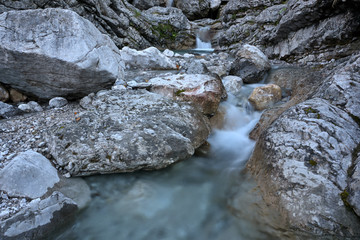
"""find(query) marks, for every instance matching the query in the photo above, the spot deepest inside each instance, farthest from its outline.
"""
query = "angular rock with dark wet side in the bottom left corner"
(50, 214)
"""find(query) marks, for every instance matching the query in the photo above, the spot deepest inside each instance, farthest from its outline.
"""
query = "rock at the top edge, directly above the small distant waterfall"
(194, 9)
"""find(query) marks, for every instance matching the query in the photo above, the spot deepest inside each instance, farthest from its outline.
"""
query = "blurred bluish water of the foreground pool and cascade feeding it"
(200, 198)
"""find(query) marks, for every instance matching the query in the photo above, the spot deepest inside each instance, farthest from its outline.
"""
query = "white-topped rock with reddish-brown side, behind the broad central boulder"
(205, 91)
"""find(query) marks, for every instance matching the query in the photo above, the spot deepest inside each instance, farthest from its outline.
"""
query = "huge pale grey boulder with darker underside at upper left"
(54, 52)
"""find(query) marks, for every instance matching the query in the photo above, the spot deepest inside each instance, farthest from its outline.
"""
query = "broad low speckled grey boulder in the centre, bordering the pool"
(124, 131)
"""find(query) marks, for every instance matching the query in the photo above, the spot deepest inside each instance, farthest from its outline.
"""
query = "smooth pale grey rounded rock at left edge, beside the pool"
(28, 175)
